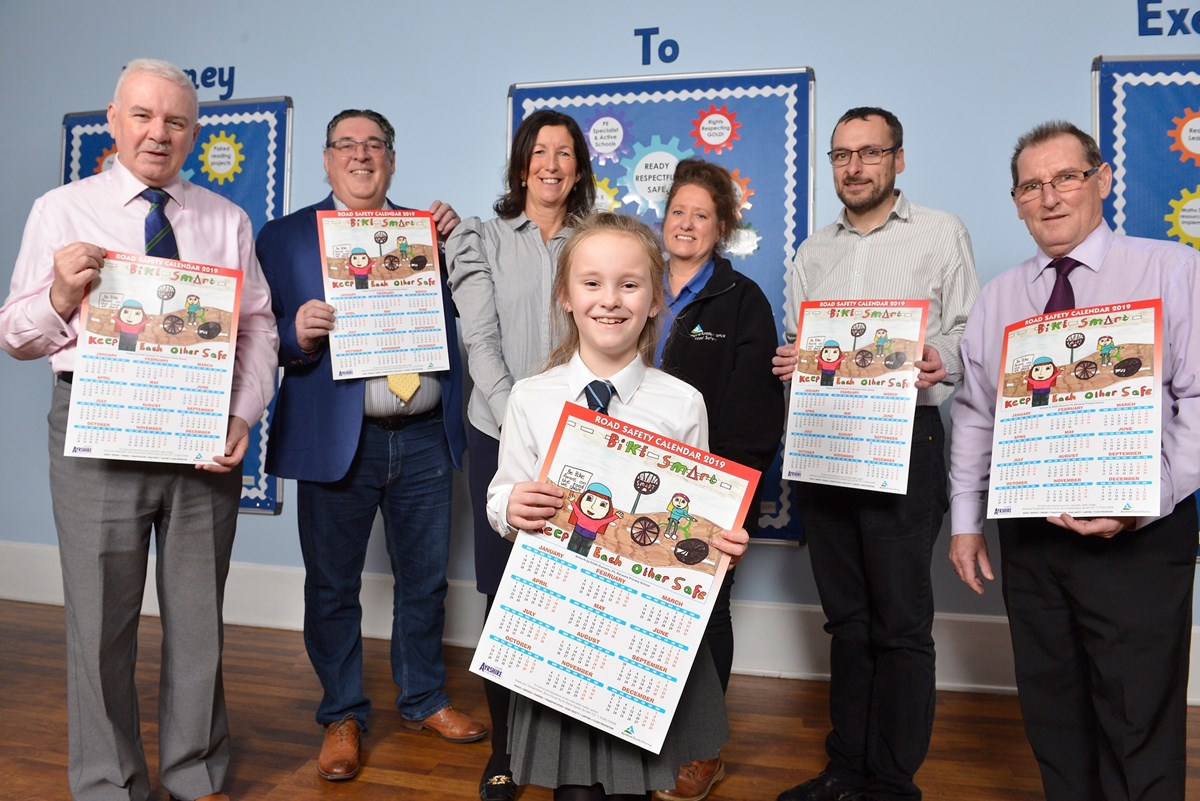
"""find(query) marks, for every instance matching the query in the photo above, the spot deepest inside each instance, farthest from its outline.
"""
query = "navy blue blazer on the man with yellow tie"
(315, 433)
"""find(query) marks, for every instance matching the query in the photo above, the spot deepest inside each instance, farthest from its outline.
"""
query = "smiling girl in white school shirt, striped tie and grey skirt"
(608, 296)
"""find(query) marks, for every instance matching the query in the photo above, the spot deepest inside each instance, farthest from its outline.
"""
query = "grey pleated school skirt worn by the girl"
(551, 750)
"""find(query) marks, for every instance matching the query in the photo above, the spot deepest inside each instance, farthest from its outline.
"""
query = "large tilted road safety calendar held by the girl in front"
(599, 616)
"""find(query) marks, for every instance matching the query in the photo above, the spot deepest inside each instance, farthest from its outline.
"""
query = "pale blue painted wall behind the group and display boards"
(967, 80)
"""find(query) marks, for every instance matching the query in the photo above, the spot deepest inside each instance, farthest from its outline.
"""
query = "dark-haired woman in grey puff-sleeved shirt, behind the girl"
(501, 275)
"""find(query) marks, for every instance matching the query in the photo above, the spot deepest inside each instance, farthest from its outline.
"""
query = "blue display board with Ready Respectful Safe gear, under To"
(758, 125)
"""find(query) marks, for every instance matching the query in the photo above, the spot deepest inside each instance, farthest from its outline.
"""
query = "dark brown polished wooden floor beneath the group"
(979, 750)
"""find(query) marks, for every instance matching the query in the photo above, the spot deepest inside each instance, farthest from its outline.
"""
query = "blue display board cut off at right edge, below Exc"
(1148, 124)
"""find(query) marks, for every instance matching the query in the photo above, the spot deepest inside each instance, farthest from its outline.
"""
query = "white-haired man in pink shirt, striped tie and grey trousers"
(105, 510)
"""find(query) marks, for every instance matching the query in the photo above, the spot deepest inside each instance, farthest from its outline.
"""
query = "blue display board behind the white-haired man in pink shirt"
(244, 154)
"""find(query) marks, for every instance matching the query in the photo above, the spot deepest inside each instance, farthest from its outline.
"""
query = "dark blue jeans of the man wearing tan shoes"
(406, 475)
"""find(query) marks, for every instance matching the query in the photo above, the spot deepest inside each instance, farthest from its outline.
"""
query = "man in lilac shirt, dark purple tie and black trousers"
(1100, 609)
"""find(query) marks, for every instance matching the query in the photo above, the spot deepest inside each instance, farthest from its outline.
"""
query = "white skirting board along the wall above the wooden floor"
(773, 640)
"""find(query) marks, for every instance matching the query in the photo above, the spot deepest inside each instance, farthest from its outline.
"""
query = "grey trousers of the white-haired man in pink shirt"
(105, 513)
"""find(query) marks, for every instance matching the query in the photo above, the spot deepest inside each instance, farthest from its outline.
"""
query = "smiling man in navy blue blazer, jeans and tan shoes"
(357, 448)
